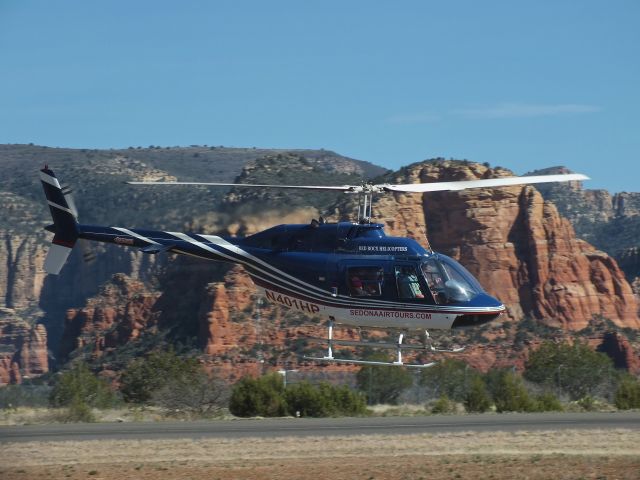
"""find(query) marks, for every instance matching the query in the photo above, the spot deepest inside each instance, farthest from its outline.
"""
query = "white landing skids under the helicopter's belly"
(399, 346)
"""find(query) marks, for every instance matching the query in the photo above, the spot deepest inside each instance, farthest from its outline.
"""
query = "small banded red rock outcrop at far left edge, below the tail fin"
(23, 349)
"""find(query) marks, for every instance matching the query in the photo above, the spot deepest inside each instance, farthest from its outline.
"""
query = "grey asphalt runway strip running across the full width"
(244, 428)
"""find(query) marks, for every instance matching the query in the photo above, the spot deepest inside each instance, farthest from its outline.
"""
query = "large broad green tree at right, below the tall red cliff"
(574, 368)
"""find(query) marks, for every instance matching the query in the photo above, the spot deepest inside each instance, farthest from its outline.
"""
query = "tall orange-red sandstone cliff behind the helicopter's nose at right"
(516, 245)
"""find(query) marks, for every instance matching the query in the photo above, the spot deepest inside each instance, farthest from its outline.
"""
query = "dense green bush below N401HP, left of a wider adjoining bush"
(262, 396)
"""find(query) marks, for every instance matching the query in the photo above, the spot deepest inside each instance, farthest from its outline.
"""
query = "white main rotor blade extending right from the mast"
(485, 183)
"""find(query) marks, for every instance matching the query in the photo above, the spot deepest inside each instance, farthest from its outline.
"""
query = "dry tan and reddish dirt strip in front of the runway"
(568, 454)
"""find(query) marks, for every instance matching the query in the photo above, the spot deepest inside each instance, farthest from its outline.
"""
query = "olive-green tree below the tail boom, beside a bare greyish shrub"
(144, 376)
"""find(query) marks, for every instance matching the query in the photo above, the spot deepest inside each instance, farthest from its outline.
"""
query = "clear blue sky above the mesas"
(524, 85)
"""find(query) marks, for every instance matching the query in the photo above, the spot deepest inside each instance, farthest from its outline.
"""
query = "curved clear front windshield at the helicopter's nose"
(449, 281)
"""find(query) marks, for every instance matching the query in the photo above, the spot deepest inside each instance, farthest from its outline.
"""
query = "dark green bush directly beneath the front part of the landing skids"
(383, 384)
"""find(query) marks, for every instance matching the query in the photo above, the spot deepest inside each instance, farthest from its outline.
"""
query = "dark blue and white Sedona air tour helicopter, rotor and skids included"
(350, 273)
